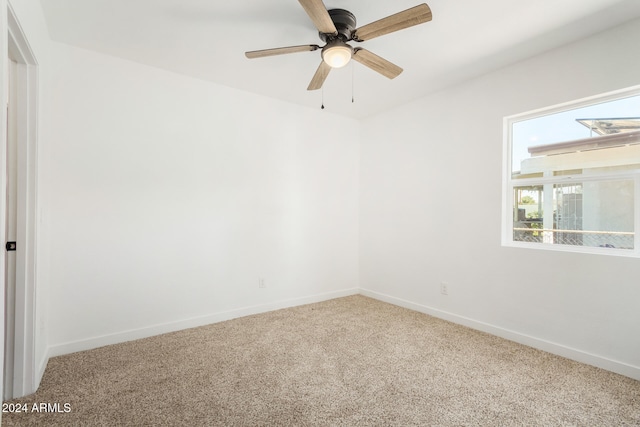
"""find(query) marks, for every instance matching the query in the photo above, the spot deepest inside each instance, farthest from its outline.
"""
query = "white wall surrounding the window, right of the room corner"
(424, 163)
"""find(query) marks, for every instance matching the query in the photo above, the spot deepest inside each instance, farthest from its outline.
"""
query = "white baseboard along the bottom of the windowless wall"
(134, 334)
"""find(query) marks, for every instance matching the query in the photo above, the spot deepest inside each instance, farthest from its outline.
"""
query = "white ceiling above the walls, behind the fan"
(207, 39)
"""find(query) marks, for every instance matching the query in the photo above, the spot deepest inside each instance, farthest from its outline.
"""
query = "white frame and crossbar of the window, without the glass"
(509, 184)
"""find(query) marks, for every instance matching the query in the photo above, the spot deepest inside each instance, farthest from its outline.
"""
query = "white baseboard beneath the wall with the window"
(550, 347)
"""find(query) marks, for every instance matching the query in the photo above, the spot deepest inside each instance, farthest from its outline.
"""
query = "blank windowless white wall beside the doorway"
(170, 197)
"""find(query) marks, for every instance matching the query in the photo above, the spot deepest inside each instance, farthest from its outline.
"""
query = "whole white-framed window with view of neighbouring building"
(572, 177)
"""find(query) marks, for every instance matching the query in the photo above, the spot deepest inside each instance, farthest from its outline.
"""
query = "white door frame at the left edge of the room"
(24, 366)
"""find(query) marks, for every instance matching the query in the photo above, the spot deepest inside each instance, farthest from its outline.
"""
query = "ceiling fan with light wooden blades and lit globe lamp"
(337, 27)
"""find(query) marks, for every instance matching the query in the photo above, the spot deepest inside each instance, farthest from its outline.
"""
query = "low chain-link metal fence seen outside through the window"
(602, 239)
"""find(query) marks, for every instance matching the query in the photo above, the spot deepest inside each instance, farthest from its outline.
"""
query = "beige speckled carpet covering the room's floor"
(350, 361)
